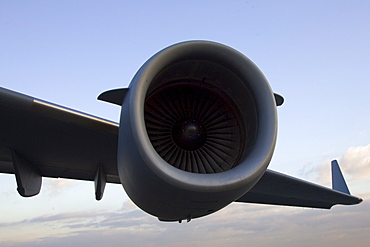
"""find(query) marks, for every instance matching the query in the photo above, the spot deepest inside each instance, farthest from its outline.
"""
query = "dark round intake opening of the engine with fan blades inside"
(193, 124)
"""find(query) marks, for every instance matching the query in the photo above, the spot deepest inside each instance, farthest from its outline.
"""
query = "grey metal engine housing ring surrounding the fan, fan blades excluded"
(165, 191)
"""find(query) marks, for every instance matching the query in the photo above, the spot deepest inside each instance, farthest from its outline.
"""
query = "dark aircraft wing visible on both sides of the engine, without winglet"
(62, 143)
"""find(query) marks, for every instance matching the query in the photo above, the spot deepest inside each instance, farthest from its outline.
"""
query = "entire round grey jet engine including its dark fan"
(197, 130)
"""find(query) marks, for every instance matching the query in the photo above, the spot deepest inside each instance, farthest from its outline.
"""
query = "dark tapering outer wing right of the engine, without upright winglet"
(279, 189)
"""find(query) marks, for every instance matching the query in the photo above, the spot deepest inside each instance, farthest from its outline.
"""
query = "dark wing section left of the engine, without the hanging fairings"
(60, 142)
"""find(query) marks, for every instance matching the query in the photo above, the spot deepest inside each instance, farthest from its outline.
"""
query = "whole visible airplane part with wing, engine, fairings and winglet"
(197, 131)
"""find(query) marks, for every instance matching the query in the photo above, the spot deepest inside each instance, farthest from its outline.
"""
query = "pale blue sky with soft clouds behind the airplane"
(314, 53)
